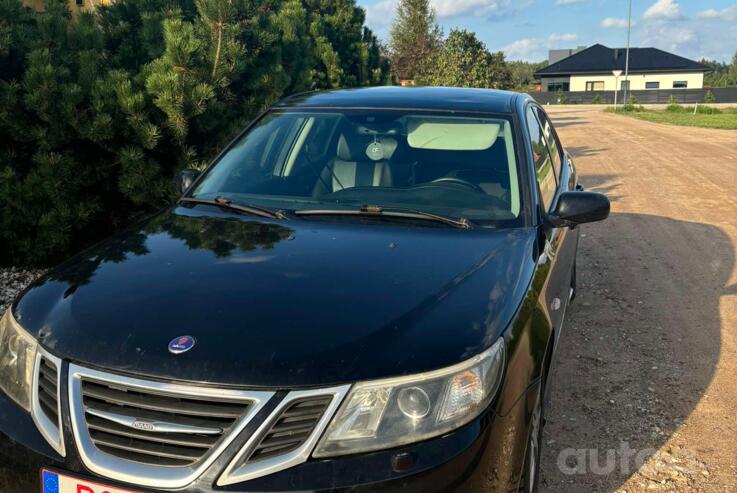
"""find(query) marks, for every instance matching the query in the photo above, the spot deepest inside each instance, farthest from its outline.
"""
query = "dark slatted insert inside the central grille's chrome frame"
(153, 427)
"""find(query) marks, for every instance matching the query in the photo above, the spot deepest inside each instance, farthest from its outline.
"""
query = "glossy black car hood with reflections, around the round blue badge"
(281, 303)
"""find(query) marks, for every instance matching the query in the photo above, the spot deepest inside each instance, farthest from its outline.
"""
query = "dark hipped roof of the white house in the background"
(601, 59)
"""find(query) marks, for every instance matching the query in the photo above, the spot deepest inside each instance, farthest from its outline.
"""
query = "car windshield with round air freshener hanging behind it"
(455, 166)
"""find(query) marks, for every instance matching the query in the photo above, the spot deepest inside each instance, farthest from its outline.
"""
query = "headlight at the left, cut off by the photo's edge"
(17, 357)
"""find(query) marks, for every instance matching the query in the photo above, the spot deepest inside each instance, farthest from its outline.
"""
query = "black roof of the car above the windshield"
(396, 97)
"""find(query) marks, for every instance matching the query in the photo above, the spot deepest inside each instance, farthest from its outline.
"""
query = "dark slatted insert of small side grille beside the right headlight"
(293, 427)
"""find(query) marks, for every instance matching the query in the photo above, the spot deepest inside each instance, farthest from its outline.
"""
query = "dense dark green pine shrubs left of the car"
(99, 110)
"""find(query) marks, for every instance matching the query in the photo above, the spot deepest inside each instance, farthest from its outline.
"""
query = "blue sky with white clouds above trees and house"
(527, 29)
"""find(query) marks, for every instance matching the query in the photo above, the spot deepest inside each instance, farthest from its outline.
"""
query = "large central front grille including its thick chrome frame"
(160, 435)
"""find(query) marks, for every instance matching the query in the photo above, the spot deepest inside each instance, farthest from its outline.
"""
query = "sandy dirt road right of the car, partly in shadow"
(645, 392)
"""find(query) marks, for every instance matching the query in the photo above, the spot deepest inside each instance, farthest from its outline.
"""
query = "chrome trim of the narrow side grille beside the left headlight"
(43, 388)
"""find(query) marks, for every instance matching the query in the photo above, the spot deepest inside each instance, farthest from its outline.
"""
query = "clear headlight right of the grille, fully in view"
(387, 413)
